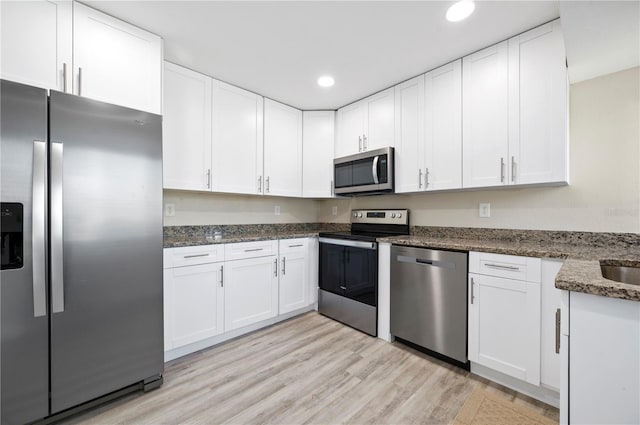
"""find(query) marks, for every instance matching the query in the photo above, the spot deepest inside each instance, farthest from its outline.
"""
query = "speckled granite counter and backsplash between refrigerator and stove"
(178, 236)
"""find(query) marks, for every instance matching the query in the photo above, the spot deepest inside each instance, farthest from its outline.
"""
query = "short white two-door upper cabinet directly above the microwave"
(367, 124)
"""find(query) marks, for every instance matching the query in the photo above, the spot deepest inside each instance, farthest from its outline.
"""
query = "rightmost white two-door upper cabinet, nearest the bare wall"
(515, 111)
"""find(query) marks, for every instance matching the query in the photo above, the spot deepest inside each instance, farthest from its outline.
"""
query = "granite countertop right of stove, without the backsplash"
(580, 271)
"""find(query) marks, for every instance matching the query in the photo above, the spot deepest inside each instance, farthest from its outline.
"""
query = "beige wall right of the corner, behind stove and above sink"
(604, 194)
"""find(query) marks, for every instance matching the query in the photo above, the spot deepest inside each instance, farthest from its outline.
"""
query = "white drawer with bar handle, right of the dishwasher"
(507, 266)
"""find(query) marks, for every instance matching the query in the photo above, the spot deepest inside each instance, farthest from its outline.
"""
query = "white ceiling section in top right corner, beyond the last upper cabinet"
(601, 37)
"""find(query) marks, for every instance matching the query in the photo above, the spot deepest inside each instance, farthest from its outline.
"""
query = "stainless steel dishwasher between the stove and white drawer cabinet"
(429, 300)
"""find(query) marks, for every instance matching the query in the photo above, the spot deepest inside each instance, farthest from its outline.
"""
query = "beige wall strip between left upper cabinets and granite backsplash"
(201, 208)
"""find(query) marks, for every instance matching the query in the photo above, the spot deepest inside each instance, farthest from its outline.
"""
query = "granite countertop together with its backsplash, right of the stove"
(580, 250)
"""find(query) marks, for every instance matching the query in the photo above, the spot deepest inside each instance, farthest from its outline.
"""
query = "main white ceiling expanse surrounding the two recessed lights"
(279, 49)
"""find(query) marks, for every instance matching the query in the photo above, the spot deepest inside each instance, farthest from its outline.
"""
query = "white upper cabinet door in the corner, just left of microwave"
(317, 153)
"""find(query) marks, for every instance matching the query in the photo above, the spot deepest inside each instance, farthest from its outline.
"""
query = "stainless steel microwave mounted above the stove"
(364, 173)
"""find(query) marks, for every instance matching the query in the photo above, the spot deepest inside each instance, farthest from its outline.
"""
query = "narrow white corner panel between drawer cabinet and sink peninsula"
(550, 308)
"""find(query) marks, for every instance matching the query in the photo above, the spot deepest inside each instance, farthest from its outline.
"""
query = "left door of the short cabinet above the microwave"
(351, 124)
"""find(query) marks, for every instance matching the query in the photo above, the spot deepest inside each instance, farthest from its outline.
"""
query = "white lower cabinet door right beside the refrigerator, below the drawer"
(193, 304)
